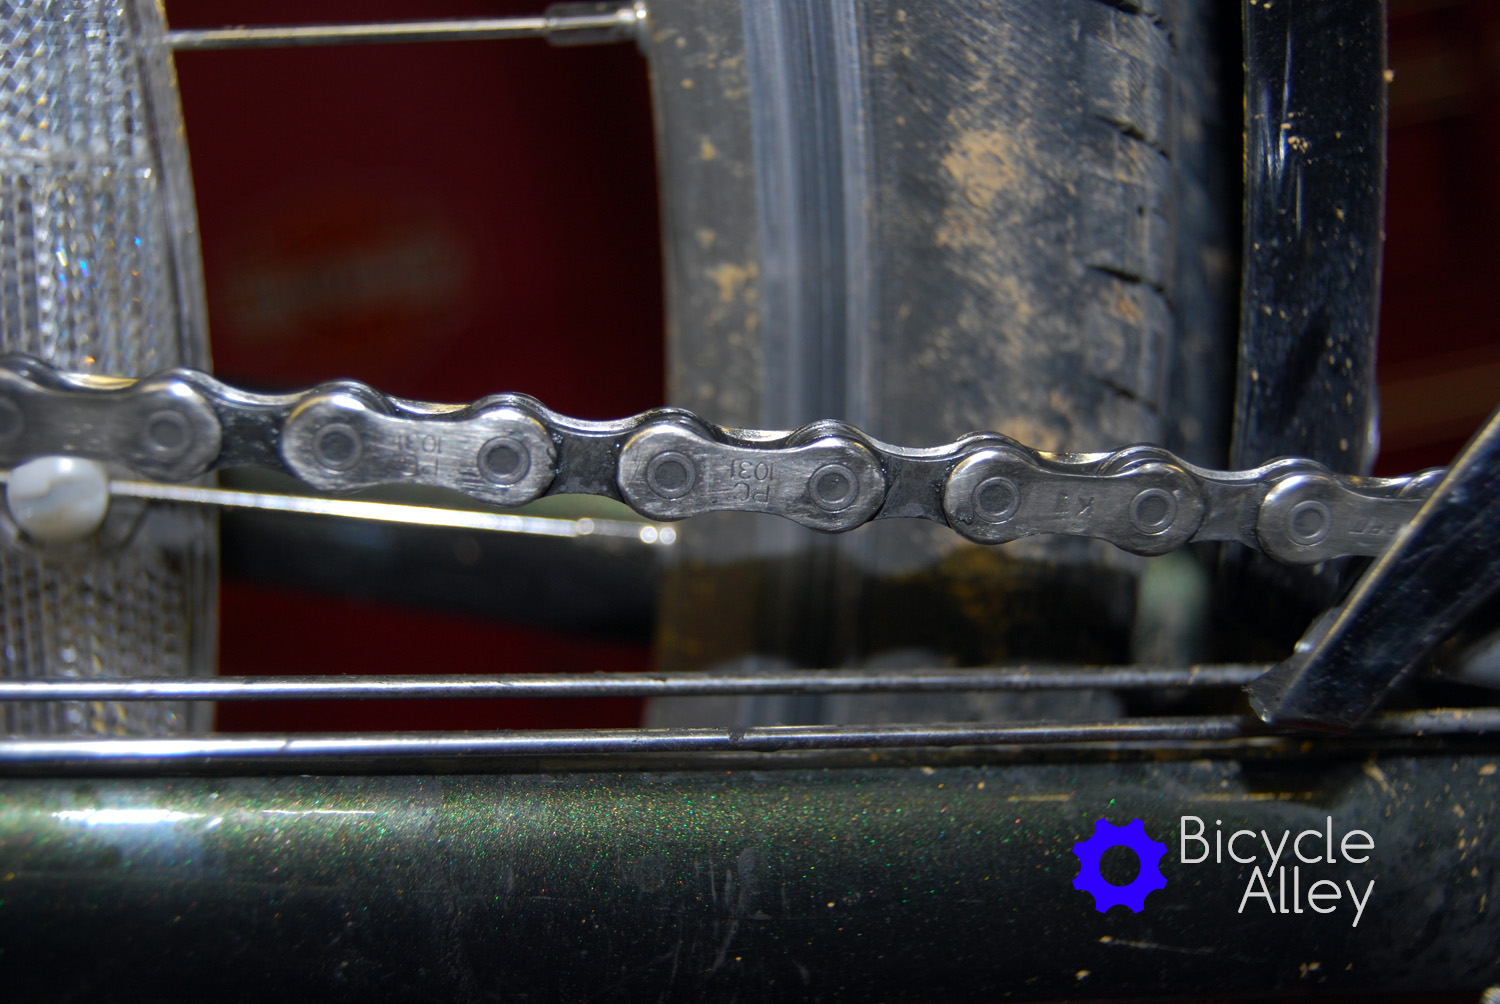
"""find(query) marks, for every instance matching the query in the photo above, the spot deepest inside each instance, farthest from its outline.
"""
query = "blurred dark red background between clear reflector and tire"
(442, 221)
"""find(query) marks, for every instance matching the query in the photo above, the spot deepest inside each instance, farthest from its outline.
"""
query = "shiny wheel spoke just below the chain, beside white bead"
(395, 513)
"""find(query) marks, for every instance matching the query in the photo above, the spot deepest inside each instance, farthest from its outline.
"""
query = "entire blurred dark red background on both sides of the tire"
(448, 221)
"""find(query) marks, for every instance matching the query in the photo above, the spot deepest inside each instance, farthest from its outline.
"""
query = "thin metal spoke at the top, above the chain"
(563, 25)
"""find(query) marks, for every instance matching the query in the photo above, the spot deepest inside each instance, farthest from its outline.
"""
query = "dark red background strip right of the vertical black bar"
(1439, 362)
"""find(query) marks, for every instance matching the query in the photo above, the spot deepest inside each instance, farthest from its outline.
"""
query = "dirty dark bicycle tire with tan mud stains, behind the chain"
(997, 215)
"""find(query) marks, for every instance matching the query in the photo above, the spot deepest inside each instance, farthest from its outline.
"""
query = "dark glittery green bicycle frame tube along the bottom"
(904, 885)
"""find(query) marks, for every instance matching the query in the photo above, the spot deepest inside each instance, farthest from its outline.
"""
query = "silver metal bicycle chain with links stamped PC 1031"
(670, 464)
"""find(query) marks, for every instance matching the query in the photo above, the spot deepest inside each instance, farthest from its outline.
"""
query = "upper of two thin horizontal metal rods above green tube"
(635, 685)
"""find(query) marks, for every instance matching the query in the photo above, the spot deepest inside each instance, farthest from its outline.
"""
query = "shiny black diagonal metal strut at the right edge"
(1439, 571)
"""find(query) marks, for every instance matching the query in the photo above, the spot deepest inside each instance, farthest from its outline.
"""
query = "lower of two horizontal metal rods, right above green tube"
(61, 753)
